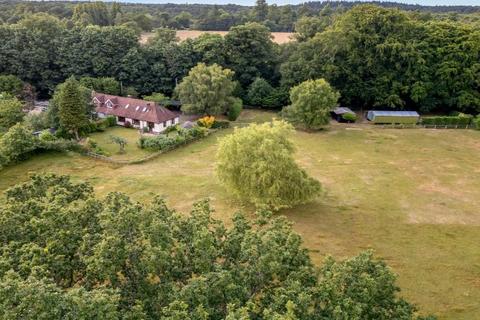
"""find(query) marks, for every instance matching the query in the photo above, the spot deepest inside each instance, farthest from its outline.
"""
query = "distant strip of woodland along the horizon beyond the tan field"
(202, 16)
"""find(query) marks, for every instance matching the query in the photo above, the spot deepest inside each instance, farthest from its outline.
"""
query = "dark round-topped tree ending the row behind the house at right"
(251, 53)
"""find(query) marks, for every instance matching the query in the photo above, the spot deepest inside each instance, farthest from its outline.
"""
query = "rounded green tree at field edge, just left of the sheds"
(312, 102)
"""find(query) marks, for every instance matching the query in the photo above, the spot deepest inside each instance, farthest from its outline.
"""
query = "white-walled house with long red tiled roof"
(141, 114)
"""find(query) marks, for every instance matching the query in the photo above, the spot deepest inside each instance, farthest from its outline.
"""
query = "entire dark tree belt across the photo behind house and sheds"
(374, 57)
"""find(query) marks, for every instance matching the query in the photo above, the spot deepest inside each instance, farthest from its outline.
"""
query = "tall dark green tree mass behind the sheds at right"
(386, 58)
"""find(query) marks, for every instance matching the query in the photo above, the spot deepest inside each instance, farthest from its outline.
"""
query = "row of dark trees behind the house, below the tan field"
(43, 51)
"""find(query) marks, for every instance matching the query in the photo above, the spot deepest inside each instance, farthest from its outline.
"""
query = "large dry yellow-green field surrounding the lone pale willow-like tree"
(412, 195)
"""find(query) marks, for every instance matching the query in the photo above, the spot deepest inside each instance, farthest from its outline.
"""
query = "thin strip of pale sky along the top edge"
(280, 2)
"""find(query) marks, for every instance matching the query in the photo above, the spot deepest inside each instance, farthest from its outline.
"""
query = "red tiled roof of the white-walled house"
(131, 108)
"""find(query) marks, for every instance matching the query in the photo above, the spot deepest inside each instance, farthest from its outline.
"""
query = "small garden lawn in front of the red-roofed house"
(132, 151)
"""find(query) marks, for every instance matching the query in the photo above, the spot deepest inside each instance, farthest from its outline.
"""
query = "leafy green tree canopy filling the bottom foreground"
(66, 254)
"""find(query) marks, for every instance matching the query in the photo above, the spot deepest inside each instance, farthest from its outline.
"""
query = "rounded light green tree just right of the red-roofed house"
(206, 90)
